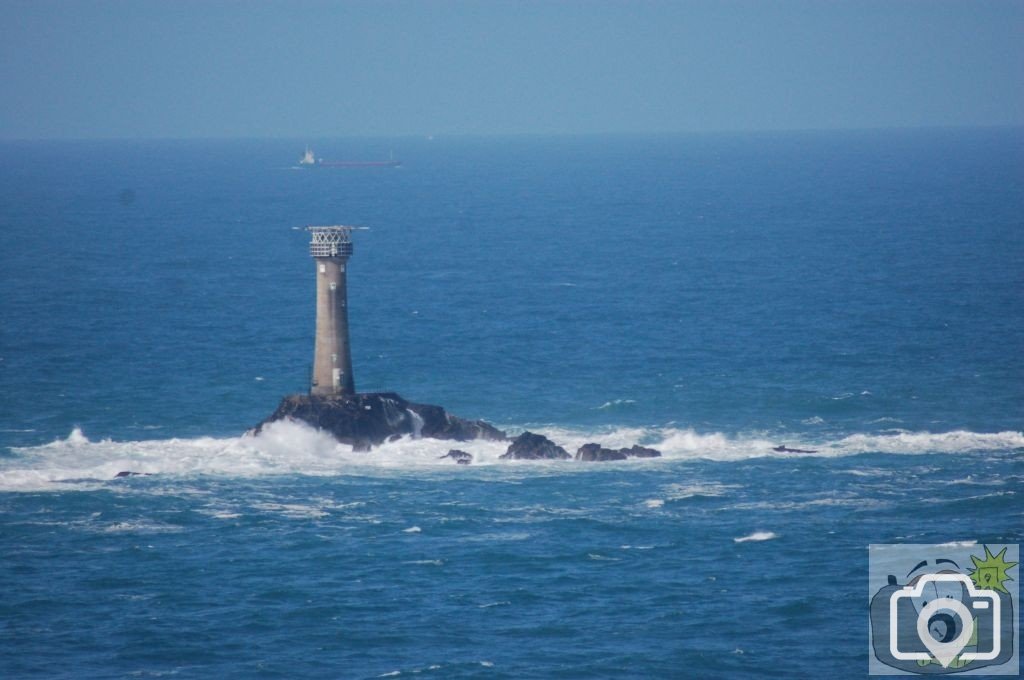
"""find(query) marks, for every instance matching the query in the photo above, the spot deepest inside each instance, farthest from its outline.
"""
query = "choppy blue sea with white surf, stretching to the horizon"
(855, 293)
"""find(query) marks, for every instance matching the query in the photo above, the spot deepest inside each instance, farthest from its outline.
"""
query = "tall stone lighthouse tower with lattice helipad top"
(331, 247)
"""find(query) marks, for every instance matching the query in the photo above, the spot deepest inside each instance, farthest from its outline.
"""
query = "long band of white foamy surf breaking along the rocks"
(294, 448)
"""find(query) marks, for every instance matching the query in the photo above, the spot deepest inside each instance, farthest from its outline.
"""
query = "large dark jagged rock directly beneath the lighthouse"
(367, 420)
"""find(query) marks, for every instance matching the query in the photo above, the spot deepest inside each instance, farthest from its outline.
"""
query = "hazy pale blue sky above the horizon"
(182, 69)
